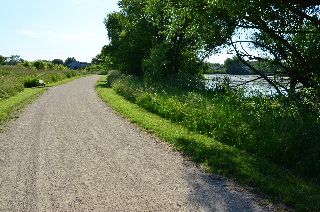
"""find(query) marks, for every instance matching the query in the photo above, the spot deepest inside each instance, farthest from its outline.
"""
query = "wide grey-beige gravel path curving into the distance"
(70, 152)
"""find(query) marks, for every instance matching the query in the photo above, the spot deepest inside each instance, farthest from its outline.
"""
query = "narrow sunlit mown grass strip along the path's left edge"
(11, 107)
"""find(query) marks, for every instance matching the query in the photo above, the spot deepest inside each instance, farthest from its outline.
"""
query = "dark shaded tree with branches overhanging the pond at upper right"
(283, 33)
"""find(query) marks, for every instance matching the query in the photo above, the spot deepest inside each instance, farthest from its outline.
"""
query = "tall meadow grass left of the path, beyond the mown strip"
(14, 79)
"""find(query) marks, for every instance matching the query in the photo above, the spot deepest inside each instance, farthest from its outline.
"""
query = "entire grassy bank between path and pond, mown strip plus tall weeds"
(260, 142)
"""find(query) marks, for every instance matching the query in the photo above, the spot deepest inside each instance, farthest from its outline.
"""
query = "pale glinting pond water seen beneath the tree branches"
(244, 82)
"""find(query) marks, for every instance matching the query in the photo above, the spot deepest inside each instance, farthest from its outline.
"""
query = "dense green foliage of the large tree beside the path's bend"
(145, 41)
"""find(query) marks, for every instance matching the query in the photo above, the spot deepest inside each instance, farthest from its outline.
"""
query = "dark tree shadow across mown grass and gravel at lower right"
(262, 177)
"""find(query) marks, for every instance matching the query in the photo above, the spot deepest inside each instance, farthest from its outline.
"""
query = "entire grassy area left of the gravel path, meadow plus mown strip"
(19, 86)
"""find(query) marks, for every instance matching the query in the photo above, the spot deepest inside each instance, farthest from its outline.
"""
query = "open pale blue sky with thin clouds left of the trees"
(54, 29)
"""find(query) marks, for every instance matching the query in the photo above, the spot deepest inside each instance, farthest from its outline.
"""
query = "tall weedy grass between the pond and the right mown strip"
(284, 131)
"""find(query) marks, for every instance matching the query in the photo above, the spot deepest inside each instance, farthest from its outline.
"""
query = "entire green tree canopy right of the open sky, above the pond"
(157, 39)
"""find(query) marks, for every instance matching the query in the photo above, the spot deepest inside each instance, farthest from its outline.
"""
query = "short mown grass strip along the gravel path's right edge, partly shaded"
(275, 183)
